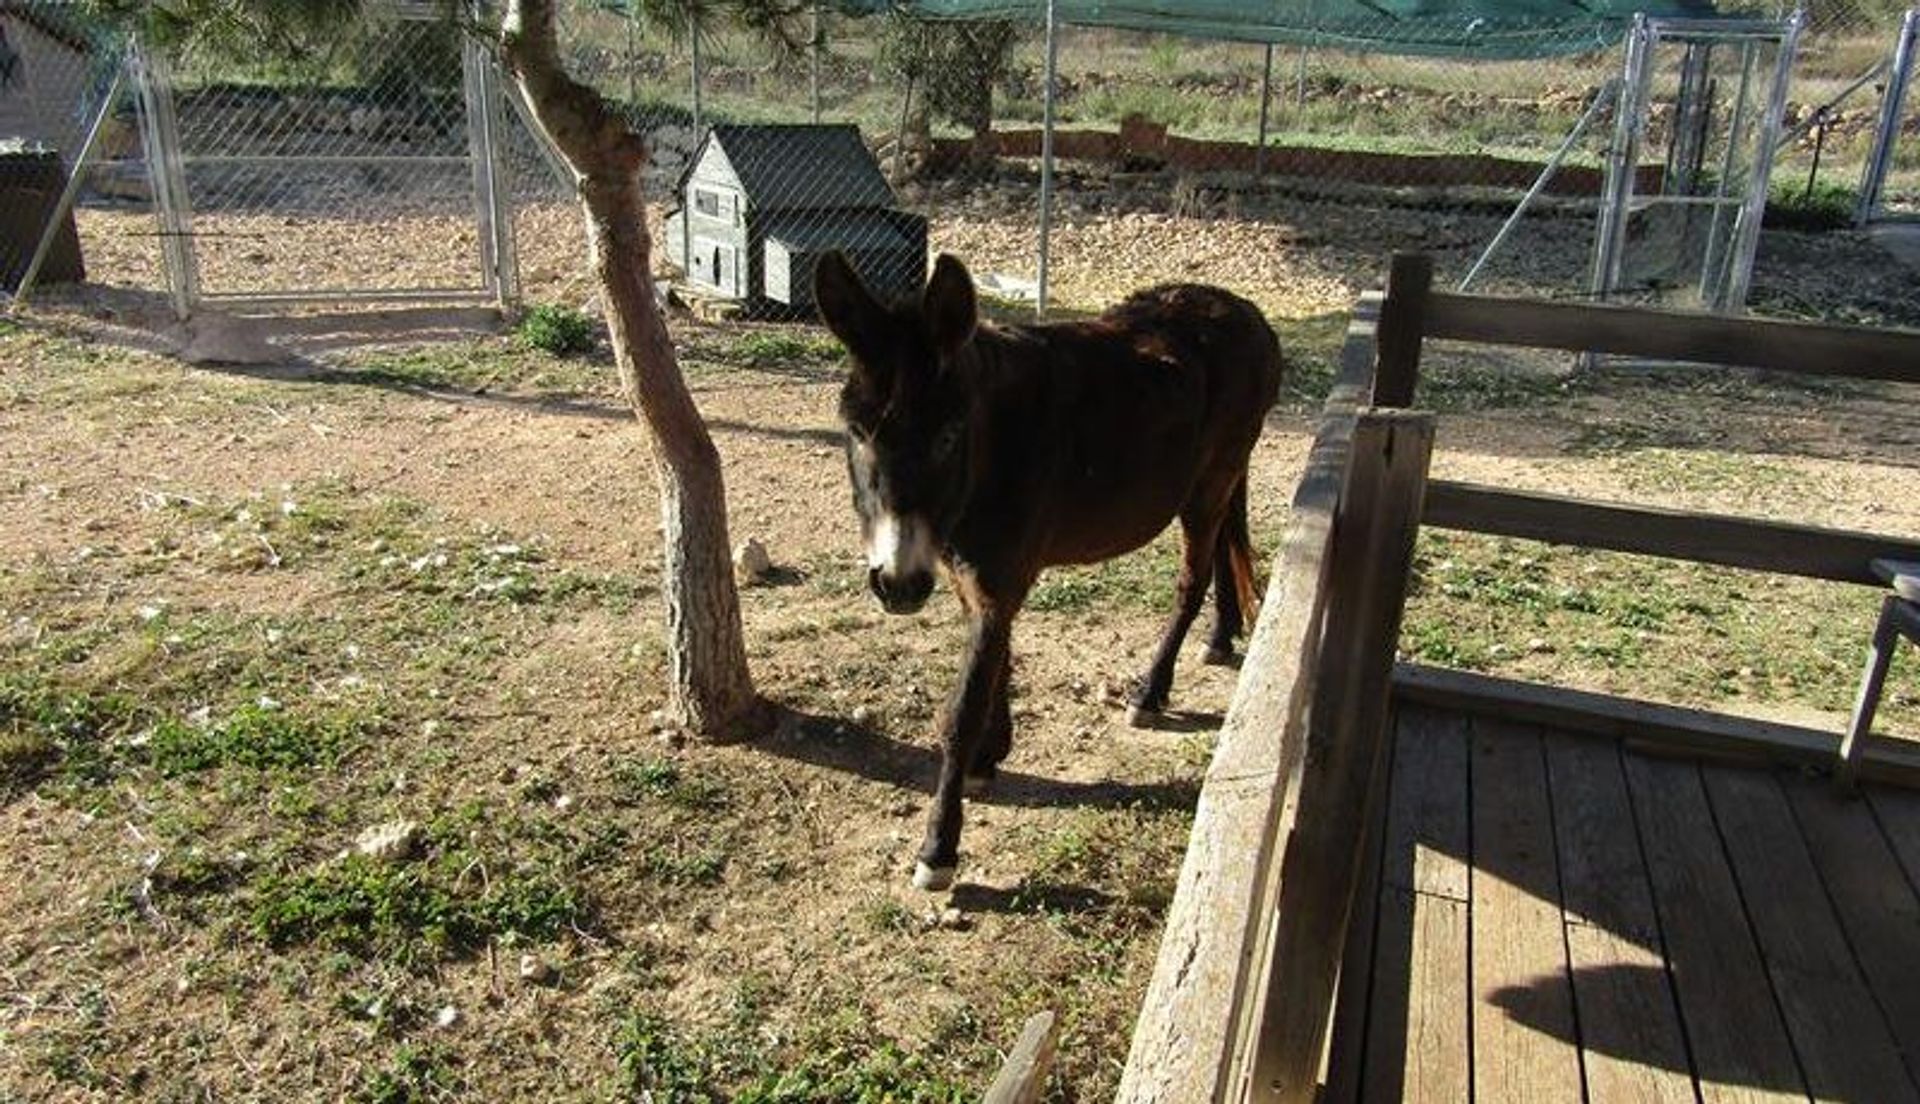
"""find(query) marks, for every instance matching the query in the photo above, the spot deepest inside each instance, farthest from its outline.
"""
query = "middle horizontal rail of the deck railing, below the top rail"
(1754, 544)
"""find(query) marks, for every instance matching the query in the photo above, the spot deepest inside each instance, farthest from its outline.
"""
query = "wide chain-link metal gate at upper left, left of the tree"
(364, 176)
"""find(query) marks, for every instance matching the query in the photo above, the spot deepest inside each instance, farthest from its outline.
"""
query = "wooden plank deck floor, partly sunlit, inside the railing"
(1552, 917)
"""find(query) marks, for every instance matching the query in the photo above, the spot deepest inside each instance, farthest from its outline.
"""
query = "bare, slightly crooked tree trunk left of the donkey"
(711, 686)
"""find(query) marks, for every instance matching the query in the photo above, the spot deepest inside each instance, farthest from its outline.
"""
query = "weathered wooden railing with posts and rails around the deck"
(1243, 988)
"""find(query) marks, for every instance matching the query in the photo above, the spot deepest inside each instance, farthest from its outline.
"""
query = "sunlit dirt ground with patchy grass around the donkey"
(206, 539)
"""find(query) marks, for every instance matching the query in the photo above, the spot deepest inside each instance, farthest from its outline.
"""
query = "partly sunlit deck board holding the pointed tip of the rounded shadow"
(1524, 1030)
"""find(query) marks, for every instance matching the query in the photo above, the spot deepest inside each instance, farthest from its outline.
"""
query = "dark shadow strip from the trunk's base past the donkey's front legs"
(850, 748)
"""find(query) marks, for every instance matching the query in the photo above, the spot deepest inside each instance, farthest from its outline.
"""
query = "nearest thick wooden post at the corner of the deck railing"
(1330, 790)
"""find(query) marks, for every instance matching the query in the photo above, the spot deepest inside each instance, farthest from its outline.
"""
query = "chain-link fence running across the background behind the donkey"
(395, 164)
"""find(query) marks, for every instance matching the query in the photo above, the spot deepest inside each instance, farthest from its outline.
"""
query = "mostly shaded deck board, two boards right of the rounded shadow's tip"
(1740, 1047)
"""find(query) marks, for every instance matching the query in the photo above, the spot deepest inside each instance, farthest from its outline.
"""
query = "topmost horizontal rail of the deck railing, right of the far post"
(1812, 348)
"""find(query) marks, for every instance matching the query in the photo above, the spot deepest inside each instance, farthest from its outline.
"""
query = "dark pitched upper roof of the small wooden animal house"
(792, 168)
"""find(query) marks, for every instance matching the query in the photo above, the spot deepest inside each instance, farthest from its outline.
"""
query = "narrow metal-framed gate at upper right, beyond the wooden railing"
(1706, 97)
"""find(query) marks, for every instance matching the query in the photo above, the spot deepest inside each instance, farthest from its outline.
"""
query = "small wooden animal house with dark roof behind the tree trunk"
(765, 203)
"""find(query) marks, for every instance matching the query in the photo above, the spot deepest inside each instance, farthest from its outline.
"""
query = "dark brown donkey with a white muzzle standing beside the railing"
(997, 452)
